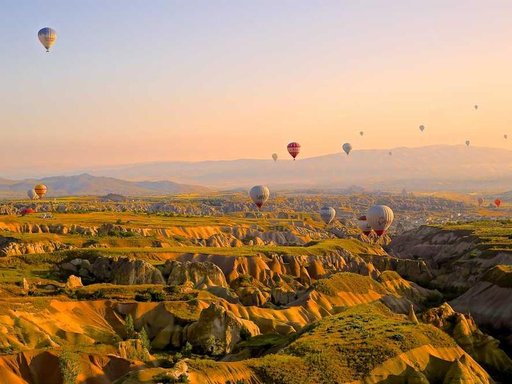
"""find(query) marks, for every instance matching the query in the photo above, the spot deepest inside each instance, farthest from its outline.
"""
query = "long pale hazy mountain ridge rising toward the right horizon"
(432, 168)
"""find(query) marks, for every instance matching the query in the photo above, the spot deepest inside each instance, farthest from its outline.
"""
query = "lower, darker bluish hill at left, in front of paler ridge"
(85, 184)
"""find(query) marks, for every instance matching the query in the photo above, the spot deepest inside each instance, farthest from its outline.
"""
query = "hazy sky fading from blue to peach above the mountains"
(133, 81)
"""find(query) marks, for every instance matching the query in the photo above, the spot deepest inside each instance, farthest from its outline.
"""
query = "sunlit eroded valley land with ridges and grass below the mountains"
(205, 290)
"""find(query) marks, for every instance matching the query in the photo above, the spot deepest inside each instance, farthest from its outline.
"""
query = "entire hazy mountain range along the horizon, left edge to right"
(432, 168)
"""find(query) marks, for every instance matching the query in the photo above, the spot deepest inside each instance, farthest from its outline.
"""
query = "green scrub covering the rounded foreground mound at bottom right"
(347, 346)
